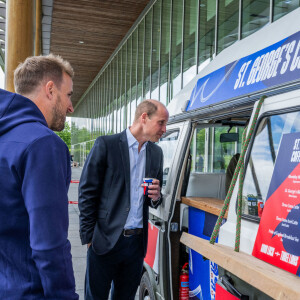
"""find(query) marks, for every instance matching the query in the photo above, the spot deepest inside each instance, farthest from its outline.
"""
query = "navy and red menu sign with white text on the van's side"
(278, 237)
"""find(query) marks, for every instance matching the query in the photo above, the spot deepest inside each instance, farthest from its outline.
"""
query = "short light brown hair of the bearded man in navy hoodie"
(36, 69)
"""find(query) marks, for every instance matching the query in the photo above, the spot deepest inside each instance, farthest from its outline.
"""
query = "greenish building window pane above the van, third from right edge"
(228, 23)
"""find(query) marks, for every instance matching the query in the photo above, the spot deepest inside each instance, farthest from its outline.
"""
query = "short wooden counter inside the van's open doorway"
(211, 205)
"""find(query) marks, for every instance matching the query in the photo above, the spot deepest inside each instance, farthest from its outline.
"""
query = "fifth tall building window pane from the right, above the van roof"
(190, 30)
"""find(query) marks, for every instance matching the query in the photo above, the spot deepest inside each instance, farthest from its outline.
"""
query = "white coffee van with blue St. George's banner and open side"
(202, 147)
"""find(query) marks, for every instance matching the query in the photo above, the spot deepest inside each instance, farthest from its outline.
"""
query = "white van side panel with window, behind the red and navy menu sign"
(279, 117)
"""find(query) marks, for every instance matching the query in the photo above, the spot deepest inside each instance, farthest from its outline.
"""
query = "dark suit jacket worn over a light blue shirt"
(104, 191)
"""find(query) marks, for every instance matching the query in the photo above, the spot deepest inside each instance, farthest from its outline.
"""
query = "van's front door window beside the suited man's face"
(168, 144)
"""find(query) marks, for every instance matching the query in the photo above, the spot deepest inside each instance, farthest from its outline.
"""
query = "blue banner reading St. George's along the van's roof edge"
(271, 66)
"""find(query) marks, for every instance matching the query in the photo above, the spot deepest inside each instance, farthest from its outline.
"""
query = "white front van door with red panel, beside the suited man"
(173, 144)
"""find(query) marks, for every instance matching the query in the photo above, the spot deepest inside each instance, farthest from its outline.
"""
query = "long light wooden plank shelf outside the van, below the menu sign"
(275, 282)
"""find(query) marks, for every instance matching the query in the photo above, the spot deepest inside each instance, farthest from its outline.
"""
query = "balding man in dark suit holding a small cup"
(113, 208)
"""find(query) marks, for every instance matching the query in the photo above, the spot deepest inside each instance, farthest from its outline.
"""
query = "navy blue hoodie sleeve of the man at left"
(46, 178)
